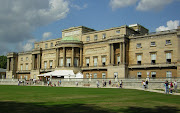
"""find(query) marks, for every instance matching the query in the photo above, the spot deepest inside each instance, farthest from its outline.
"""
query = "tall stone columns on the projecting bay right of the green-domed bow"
(122, 53)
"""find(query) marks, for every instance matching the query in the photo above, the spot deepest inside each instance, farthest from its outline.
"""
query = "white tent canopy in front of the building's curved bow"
(59, 73)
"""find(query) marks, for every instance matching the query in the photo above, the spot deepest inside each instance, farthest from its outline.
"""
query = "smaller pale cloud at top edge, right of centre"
(121, 3)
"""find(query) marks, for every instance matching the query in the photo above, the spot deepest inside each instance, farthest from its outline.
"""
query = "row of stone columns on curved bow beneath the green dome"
(64, 57)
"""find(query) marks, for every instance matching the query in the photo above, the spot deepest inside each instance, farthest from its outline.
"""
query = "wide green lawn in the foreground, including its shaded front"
(27, 99)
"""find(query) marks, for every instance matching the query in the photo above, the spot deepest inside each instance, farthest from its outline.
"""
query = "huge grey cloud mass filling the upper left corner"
(18, 19)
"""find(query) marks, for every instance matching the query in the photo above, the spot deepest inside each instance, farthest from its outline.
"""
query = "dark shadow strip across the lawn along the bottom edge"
(14, 107)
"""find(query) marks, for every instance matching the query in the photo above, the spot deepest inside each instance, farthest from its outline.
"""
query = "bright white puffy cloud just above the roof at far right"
(170, 25)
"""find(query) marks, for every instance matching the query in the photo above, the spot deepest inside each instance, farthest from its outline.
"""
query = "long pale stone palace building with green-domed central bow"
(122, 52)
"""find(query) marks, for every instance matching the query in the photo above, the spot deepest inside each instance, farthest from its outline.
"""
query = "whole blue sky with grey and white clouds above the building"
(23, 22)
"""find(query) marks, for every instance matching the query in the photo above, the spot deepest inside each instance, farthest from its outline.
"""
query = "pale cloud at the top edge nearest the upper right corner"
(145, 5)
